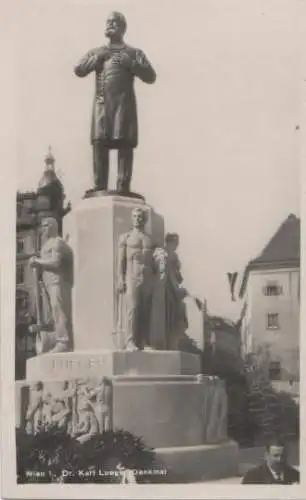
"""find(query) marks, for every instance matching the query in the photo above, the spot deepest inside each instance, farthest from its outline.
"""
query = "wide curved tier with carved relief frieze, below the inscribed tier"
(165, 410)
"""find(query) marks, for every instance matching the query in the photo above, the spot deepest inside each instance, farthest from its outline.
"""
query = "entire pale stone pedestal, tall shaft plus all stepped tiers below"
(157, 395)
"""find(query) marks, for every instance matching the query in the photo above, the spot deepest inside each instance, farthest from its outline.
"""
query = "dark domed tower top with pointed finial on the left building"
(50, 192)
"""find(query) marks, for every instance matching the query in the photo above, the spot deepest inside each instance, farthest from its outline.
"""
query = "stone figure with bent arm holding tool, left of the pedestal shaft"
(56, 265)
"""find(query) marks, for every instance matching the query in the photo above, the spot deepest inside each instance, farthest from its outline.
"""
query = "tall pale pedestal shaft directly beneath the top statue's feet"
(93, 229)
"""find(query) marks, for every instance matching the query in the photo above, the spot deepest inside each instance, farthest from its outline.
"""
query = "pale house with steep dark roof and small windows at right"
(270, 291)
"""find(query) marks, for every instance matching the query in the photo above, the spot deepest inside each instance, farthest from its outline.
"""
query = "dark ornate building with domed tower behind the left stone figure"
(31, 207)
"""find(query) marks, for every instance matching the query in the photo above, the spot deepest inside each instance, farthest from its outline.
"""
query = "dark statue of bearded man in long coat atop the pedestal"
(114, 118)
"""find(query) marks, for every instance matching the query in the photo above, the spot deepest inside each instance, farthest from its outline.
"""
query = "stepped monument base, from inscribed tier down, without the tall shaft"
(159, 396)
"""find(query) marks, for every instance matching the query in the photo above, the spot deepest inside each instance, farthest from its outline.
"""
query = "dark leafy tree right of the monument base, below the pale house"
(256, 410)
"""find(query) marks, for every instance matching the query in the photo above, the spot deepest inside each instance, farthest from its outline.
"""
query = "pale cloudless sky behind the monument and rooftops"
(218, 152)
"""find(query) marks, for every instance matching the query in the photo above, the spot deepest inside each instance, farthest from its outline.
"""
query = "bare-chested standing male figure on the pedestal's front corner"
(135, 270)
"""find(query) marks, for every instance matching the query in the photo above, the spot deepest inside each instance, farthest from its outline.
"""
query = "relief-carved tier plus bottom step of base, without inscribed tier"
(183, 417)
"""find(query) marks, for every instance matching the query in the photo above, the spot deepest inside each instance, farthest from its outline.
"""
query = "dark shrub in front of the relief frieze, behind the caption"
(52, 455)
